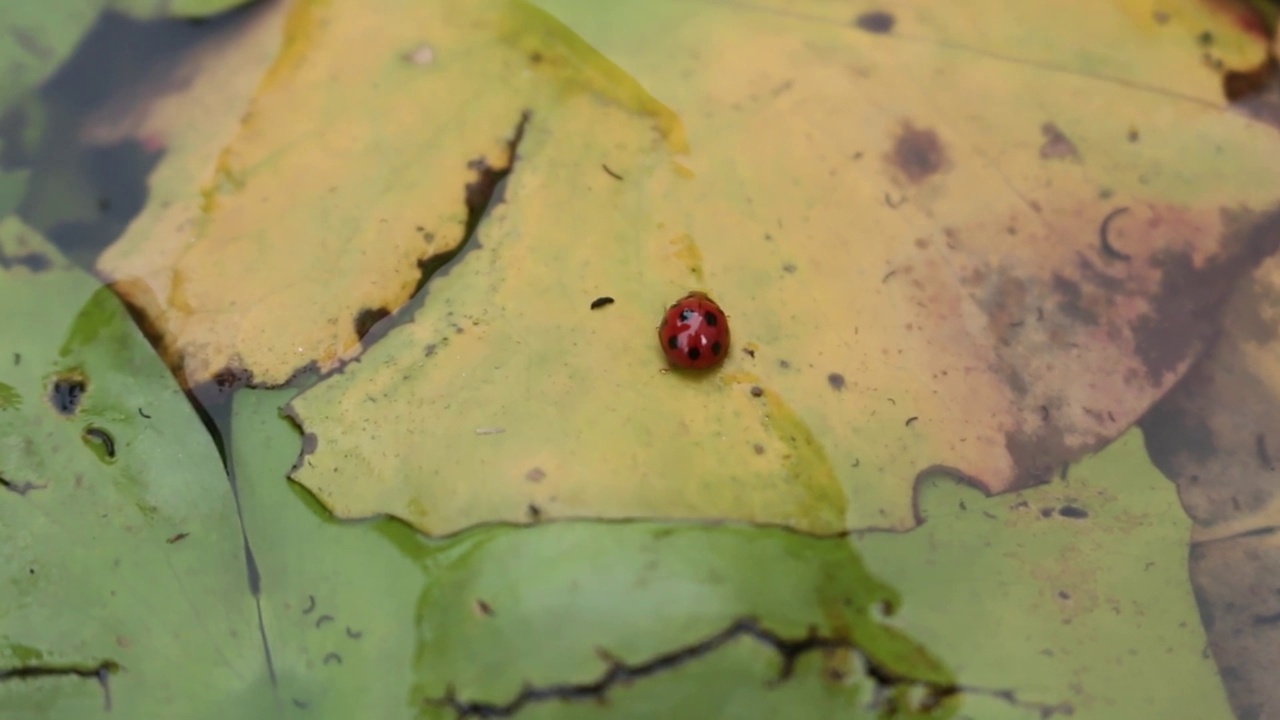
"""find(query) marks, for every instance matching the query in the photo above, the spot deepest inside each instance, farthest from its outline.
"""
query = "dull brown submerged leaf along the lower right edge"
(1217, 438)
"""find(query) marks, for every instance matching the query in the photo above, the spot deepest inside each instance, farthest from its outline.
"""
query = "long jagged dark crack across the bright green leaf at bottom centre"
(620, 673)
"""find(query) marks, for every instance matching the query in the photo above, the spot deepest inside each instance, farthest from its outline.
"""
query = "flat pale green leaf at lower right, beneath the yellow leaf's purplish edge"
(1073, 598)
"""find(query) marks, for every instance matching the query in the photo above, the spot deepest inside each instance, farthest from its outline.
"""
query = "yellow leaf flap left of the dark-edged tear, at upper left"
(350, 170)
